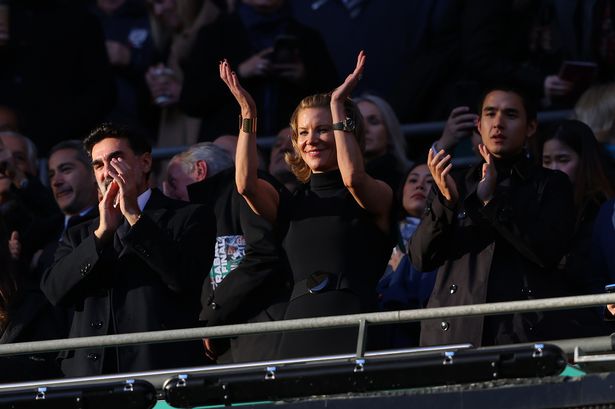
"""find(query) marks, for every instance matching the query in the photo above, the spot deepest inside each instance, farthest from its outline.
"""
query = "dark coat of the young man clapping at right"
(505, 251)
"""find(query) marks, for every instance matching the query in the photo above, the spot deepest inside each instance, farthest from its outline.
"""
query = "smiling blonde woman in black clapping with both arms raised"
(337, 228)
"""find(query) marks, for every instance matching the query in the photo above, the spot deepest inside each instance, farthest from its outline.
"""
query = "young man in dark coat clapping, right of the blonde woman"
(497, 234)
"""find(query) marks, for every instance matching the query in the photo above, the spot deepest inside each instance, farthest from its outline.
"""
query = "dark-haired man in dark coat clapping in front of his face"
(138, 267)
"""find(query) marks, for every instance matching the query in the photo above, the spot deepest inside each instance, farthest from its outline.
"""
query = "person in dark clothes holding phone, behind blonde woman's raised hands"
(277, 59)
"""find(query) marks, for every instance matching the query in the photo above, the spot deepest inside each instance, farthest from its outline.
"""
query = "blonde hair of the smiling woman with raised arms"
(297, 165)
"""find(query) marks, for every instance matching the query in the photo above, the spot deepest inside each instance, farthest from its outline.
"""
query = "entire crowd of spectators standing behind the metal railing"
(340, 215)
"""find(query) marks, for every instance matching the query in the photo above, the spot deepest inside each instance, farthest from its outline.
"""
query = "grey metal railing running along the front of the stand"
(577, 348)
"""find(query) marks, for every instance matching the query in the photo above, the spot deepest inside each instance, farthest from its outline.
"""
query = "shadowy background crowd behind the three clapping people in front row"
(68, 65)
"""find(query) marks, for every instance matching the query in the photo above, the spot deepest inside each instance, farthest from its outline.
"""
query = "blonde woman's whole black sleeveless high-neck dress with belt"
(335, 249)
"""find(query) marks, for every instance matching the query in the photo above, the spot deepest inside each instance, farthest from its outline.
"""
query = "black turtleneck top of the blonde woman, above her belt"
(328, 231)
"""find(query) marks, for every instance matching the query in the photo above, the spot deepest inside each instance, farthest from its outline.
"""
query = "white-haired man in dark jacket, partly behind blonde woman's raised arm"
(247, 282)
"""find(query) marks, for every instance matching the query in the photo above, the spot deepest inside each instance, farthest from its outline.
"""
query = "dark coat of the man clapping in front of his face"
(150, 282)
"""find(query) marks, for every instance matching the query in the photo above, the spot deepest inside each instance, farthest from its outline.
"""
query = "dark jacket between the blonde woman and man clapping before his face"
(258, 288)
